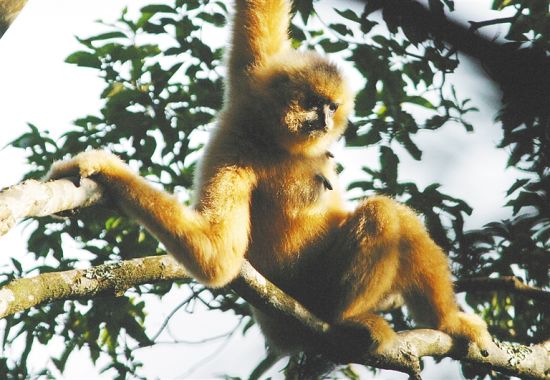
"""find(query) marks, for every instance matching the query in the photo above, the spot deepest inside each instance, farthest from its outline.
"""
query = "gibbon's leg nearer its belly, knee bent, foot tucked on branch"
(364, 259)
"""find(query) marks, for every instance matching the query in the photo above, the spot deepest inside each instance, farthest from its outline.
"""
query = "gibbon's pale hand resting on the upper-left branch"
(84, 165)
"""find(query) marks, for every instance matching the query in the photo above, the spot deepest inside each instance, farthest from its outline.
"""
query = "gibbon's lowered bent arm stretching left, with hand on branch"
(210, 242)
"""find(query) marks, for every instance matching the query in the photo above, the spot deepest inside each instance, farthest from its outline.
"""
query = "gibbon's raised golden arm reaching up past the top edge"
(260, 30)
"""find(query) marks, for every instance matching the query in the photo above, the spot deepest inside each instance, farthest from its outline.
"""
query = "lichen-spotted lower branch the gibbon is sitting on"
(115, 278)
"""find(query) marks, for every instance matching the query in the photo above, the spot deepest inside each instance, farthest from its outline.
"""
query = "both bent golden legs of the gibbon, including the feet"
(383, 249)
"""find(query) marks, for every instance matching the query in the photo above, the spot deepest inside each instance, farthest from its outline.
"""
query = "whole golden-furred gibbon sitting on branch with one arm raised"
(266, 190)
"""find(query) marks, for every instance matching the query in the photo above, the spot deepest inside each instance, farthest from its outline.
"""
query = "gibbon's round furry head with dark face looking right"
(304, 102)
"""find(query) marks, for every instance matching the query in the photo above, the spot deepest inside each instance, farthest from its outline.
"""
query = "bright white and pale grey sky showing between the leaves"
(38, 87)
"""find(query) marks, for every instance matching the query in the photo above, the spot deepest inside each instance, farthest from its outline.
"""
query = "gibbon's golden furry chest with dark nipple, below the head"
(291, 211)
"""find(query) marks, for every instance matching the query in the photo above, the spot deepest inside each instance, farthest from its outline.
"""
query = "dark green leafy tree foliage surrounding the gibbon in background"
(163, 87)
